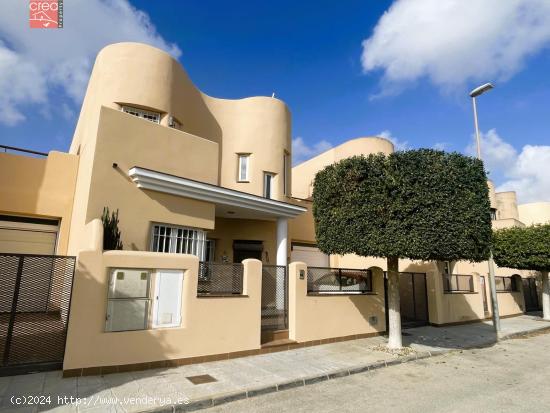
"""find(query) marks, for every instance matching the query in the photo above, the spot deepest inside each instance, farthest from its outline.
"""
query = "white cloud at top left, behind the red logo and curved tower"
(33, 62)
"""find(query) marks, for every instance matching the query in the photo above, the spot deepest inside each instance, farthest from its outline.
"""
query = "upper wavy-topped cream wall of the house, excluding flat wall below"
(143, 76)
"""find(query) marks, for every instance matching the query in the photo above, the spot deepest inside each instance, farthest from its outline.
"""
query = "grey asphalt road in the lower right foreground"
(513, 376)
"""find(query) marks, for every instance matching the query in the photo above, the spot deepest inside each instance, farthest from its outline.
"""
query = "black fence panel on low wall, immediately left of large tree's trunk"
(321, 280)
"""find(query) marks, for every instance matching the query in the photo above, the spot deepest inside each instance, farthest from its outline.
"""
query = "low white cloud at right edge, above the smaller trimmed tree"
(524, 172)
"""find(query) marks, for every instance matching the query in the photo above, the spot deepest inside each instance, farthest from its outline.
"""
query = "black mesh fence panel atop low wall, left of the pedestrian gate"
(220, 279)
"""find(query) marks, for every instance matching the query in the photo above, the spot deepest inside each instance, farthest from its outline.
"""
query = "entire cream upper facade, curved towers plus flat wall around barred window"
(213, 131)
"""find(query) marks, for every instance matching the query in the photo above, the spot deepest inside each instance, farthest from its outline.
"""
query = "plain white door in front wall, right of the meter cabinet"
(167, 306)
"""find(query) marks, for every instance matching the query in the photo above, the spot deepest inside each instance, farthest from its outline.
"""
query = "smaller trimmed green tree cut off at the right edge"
(526, 249)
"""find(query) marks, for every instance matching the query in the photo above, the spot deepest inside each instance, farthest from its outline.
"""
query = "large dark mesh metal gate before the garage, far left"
(35, 294)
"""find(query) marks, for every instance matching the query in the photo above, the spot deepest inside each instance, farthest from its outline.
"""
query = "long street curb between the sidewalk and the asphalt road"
(216, 400)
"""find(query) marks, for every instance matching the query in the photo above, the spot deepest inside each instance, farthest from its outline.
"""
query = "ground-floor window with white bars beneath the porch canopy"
(178, 240)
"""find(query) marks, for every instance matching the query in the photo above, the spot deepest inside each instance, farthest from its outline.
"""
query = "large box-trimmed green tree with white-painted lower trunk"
(422, 204)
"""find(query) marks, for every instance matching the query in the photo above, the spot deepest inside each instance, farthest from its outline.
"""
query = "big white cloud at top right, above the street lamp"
(453, 42)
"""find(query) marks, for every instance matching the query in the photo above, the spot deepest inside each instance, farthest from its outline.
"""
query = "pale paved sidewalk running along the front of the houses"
(167, 389)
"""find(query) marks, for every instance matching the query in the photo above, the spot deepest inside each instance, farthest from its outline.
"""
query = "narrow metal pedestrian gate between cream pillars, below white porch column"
(274, 297)
